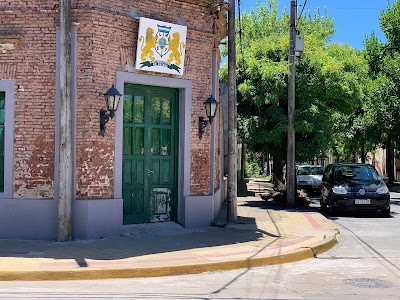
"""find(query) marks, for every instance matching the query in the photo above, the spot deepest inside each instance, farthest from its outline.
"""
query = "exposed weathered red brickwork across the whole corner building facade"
(105, 31)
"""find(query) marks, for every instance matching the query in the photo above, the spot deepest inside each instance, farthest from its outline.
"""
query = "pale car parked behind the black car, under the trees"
(309, 177)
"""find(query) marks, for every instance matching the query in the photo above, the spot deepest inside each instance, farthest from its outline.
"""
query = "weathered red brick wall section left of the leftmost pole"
(33, 60)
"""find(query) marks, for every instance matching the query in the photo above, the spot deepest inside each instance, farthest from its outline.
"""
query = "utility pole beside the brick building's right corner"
(232, 141)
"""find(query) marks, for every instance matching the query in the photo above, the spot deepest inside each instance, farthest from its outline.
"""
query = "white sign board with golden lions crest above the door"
(161, 47)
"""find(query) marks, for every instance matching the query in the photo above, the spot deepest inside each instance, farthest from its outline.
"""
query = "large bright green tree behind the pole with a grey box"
(329, 79)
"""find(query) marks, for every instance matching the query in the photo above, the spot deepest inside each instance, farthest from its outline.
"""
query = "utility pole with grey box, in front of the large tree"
(290, 165)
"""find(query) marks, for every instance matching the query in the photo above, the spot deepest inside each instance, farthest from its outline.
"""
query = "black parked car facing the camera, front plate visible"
(354, 187)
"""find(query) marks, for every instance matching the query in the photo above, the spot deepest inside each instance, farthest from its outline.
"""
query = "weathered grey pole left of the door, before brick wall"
(65, 196)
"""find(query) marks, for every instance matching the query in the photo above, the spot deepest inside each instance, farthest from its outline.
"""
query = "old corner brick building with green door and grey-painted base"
(151, 164)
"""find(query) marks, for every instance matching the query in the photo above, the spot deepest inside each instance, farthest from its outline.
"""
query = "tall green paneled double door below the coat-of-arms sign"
(150, 138)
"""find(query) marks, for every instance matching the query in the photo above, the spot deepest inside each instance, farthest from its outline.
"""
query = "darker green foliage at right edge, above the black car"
(376, 122)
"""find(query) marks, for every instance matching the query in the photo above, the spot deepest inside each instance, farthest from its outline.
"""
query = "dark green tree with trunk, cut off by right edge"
(383, 98)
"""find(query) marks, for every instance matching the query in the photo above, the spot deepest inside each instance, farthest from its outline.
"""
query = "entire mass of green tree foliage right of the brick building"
(347, 101)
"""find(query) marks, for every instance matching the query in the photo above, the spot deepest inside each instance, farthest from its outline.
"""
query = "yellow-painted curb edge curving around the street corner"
(297, 255)
